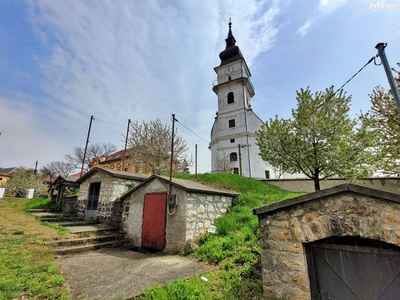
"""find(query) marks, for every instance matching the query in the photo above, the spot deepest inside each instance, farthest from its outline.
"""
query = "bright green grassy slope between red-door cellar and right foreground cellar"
(233, 249)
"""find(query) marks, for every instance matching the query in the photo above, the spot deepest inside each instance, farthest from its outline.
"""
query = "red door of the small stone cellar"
(154, 217)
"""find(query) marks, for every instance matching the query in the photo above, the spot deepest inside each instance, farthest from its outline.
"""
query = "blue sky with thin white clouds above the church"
(63, 61)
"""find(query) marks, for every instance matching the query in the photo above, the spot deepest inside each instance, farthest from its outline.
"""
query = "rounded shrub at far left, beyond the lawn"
(22, 180)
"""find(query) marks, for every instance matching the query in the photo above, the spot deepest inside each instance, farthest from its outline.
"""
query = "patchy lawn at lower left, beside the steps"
(27, 267)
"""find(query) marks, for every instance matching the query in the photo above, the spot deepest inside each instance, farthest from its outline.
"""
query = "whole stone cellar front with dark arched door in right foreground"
(339, 243)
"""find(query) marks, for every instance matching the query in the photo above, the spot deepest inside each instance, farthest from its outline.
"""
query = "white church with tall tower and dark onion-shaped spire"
(233, 138)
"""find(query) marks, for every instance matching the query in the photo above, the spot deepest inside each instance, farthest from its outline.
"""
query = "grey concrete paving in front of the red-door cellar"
(121, 273)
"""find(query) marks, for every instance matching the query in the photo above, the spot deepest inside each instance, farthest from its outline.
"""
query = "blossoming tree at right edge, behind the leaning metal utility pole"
(384, 120)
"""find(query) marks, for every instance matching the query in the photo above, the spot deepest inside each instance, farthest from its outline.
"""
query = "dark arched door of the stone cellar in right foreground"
(354, 269)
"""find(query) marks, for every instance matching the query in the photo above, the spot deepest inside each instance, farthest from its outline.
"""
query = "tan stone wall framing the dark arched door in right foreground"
(283, 233)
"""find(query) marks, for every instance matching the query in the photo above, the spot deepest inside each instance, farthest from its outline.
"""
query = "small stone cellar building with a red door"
(165, 215)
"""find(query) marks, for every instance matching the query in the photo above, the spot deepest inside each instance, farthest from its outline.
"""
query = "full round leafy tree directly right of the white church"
(320, 141)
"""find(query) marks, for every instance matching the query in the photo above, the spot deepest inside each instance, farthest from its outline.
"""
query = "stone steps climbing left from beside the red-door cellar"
(85, 235)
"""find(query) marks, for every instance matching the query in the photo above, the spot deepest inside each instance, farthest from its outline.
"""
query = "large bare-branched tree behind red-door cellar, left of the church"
(150, 146)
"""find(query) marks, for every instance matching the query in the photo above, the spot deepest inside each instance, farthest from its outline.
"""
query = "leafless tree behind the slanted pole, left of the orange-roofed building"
(93, 151)
